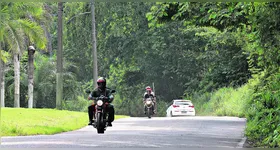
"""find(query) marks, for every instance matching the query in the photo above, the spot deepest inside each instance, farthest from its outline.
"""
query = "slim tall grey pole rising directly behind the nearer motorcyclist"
(94, 51)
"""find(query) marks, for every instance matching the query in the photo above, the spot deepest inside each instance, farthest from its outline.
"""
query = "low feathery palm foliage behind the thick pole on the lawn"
(45, 75)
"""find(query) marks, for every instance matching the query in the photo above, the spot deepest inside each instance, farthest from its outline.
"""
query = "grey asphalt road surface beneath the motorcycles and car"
(177, 132)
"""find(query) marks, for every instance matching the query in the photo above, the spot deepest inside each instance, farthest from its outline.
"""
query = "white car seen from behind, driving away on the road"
(180, 107)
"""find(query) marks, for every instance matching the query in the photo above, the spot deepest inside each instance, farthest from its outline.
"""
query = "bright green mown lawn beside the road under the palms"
(22, 121)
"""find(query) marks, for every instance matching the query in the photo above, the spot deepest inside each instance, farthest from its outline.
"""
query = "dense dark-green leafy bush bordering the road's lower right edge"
(263, 114)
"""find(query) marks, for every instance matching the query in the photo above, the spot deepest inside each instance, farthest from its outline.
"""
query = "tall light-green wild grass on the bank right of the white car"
(224, 102)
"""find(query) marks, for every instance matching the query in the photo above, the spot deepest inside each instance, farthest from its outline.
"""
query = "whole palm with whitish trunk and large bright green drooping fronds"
(17, 30)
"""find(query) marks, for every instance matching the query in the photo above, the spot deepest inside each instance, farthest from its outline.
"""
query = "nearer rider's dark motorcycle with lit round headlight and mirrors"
(101, 114)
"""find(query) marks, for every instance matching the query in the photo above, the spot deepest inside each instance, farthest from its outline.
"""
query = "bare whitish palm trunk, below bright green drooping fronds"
(17, 80)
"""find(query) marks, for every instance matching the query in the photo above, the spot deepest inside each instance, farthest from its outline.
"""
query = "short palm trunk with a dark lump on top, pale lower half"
(30, 77)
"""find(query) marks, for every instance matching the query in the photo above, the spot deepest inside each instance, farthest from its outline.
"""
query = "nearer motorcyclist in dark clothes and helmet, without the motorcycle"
(101, 90)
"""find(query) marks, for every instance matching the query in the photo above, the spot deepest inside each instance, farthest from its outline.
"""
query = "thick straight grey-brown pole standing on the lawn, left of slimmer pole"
(59, 75)
